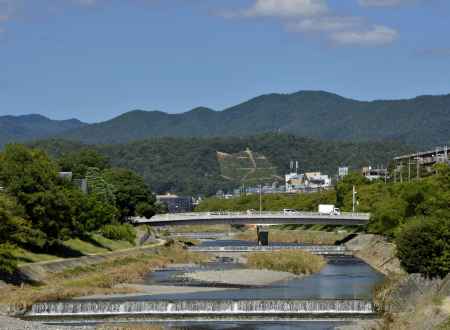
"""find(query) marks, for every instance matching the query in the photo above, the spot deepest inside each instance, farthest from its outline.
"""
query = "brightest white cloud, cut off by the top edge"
(281, 8)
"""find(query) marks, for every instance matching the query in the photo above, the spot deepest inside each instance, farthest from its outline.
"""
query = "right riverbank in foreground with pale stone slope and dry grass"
(407, 302)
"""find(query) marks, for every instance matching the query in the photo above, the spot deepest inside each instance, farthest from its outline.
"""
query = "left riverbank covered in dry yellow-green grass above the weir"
(93, 275)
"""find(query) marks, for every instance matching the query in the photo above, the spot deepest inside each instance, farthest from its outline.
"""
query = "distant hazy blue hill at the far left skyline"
(30, 127)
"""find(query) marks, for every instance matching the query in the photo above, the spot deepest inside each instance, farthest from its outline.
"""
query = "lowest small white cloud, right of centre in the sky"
(378, 35)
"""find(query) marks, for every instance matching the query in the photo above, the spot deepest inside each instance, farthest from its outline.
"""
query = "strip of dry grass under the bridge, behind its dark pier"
(296, 236)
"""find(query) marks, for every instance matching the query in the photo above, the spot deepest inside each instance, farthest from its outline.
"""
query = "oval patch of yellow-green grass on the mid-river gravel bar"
(292, 261)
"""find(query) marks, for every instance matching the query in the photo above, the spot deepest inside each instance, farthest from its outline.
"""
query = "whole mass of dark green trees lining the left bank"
(39, 209)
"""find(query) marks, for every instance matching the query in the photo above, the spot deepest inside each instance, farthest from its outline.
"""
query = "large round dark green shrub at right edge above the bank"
(423, 246)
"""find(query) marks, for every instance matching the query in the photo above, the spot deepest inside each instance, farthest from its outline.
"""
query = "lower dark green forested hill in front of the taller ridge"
(190, 166)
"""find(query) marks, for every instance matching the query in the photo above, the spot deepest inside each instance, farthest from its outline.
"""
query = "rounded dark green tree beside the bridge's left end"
(133, 197)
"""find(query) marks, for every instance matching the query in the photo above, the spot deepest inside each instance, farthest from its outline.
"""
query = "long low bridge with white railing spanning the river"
(255, 218)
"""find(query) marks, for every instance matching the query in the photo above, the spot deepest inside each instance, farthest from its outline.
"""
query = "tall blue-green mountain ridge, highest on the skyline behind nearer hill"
(423, 121)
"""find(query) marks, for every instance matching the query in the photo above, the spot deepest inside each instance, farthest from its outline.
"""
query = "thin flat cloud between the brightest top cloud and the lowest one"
(325, 24)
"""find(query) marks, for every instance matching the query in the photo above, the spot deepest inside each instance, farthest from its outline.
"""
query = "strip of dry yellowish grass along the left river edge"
(101, 278)
